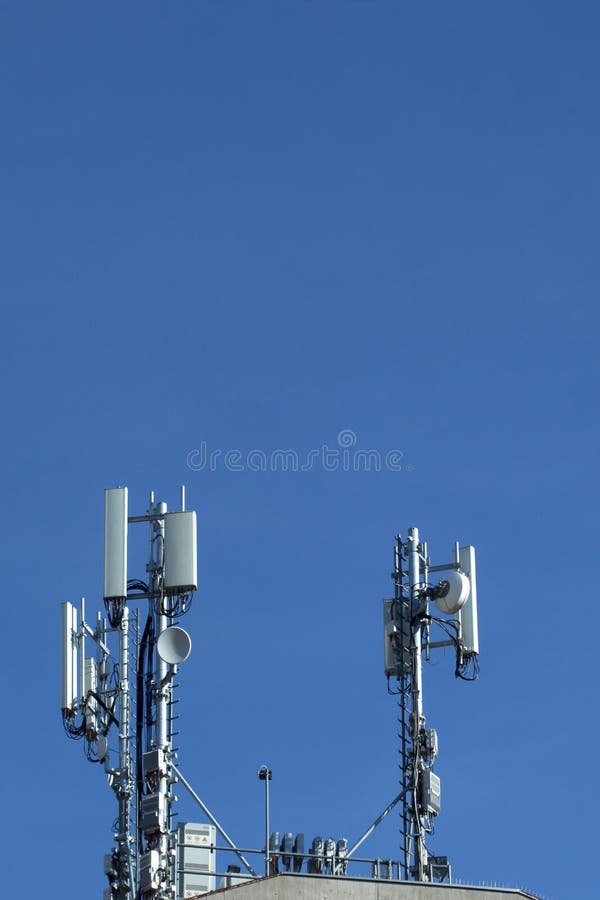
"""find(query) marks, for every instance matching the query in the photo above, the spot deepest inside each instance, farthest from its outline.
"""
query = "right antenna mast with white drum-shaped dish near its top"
(408, 622)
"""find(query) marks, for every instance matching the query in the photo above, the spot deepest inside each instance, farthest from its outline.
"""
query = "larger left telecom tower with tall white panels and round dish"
(126, 696)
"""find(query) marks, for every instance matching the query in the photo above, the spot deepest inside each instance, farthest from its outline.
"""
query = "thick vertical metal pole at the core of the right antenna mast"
(414, 570)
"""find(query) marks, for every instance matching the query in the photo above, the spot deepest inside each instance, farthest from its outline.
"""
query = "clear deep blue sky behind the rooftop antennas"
(254, 225)
